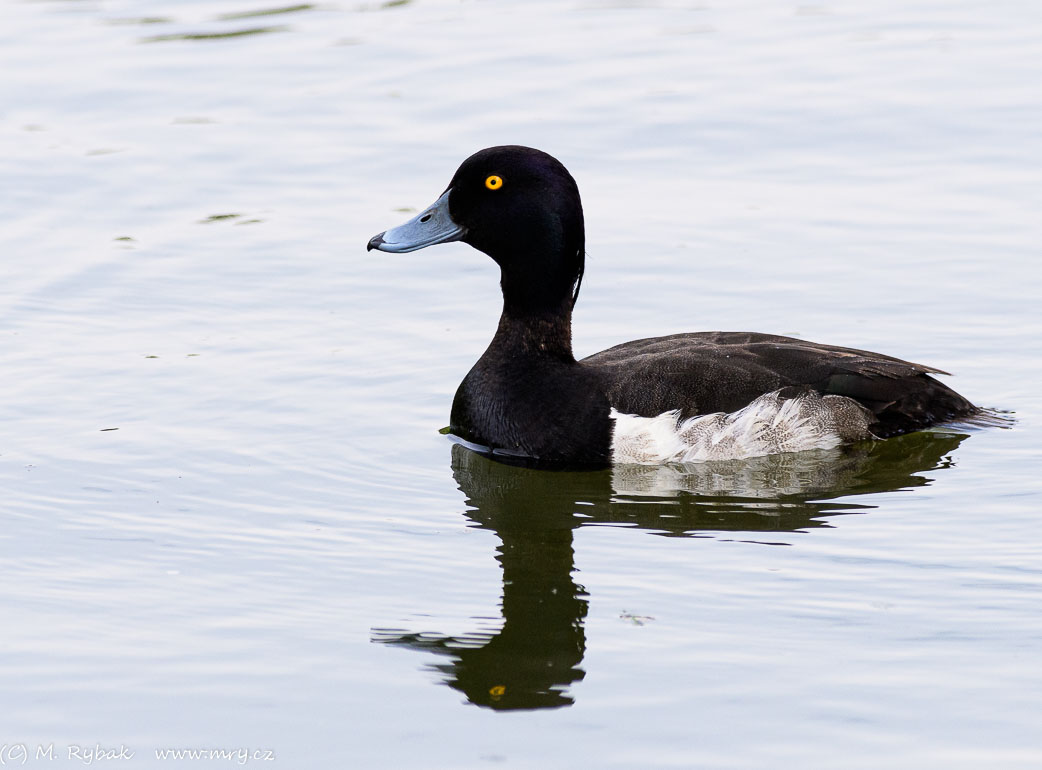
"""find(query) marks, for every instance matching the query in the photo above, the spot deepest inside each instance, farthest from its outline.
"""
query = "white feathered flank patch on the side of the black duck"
(768, 426)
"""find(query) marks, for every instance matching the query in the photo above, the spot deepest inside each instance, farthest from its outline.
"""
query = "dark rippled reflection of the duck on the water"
(537, 654)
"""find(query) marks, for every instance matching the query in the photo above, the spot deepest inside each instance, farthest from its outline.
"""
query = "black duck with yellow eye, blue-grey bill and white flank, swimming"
(683, 399)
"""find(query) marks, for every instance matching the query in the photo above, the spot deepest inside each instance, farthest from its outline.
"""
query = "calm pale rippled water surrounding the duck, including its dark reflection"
(230, 521)
